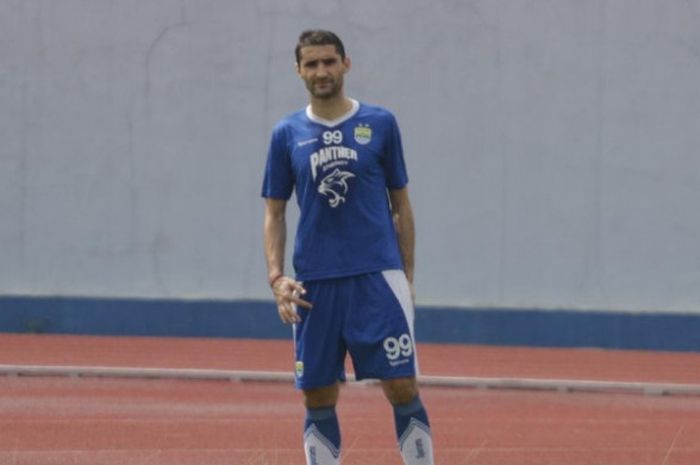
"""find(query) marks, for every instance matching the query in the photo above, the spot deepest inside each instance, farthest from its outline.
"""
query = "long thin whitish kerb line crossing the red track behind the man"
(563, 385)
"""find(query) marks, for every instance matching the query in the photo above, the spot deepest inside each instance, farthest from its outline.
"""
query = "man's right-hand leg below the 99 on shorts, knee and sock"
(411, 420)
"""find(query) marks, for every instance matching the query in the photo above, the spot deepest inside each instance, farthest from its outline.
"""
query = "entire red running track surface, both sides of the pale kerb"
(91, 421)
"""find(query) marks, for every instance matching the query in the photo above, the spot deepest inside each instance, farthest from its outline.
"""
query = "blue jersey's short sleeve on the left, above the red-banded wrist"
(278, 181)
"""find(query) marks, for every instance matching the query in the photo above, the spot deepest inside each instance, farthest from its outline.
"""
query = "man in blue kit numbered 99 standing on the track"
(353, 254)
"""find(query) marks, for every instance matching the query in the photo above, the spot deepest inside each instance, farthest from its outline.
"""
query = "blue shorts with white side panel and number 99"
(369, 316)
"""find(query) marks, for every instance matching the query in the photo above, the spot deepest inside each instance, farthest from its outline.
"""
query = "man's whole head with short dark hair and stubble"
(321, 63)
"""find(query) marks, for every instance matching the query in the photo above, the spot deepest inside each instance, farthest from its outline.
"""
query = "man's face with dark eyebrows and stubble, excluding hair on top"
(322, 70)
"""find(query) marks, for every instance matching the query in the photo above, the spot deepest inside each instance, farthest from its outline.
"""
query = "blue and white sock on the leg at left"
(321, 436)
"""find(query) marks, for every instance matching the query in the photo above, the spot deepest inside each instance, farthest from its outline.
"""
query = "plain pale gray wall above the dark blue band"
(553, 145)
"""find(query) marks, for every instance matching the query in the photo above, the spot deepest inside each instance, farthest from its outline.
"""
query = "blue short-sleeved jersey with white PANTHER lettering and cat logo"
(341, 171)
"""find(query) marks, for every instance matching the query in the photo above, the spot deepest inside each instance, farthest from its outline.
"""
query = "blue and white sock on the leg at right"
(413, 433)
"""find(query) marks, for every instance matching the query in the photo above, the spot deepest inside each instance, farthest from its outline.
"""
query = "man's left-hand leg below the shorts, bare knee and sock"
(321, 429)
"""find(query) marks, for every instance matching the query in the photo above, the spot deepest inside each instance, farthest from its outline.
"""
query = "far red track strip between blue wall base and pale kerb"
(276, 355)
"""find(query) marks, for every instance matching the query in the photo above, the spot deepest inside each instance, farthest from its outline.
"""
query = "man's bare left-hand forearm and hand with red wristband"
(285, 289)
